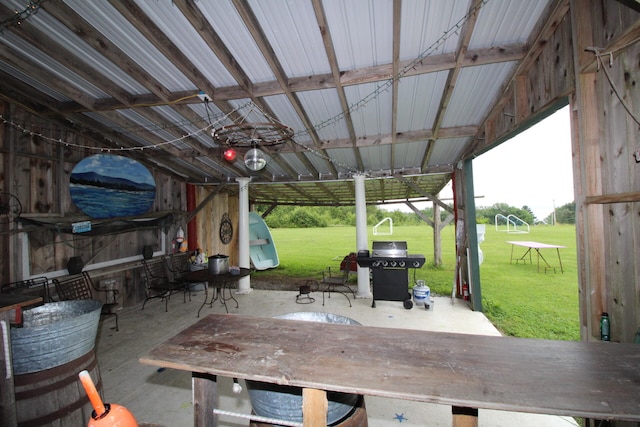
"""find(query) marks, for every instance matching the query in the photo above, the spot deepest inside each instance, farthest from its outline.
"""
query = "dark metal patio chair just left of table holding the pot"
(159, 284)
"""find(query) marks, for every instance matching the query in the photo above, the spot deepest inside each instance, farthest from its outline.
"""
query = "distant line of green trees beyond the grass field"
(329, 216)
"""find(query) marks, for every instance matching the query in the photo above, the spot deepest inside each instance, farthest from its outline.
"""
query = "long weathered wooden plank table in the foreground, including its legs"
(599, 380)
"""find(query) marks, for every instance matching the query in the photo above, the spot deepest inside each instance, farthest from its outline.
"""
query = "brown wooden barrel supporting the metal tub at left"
(55, 397)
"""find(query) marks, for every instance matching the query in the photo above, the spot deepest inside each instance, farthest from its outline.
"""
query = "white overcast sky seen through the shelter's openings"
(533, 169)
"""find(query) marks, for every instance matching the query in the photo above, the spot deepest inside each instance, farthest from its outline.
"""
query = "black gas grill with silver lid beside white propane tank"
(390, 263)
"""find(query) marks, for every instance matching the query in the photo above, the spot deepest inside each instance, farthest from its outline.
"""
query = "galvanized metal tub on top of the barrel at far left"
(54, 334)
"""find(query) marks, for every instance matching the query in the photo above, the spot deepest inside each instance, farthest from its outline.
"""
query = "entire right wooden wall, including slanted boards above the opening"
(605, 137)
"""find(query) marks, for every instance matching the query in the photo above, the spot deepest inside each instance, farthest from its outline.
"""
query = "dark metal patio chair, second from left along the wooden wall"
(81, 287)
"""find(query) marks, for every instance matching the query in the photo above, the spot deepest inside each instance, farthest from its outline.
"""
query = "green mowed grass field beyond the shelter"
(517, 298)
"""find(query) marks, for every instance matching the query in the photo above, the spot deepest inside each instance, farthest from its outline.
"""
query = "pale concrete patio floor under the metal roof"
(163, 396)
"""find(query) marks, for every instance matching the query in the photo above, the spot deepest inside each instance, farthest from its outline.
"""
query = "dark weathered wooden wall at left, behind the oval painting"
(36, 165)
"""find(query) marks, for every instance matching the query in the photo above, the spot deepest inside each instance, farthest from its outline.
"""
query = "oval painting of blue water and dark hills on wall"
(108, 186)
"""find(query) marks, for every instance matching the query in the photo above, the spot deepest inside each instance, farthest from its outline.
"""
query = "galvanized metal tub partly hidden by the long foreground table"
(285, 402)
